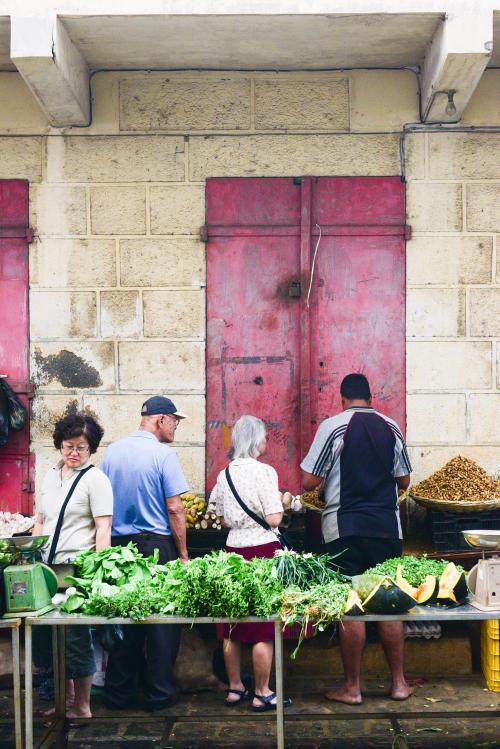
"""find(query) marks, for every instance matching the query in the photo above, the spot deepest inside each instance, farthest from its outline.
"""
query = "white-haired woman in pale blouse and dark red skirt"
(257, 485)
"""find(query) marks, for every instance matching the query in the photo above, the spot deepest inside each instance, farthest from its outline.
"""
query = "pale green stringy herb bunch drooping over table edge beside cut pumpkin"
(318, 606)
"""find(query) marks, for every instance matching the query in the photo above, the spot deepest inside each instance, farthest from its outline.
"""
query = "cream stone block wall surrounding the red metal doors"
(118, 272)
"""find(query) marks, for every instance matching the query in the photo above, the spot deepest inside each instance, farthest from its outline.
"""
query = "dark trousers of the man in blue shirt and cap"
(146, 648)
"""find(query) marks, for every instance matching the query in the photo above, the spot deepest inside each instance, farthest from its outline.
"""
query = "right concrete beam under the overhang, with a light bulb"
(459, 52)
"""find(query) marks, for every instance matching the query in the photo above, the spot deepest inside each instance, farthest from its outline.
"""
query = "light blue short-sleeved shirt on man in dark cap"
(143, 473)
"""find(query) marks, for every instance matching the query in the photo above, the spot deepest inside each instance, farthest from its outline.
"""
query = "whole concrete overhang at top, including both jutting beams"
(56, 52)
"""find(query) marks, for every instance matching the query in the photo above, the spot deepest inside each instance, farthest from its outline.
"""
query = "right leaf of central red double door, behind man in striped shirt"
(357, 303)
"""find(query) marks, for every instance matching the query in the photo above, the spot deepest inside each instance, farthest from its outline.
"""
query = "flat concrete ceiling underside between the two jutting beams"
(287, 42)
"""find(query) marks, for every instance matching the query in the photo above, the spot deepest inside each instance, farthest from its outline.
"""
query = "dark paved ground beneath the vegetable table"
(201, 721)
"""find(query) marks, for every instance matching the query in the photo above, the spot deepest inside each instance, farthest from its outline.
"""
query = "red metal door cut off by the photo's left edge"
(15, 465)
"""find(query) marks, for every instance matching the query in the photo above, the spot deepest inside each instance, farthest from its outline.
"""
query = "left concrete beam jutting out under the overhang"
(52, 67)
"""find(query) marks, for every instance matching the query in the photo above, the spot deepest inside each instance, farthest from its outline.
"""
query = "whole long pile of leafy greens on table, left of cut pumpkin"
(119, 582)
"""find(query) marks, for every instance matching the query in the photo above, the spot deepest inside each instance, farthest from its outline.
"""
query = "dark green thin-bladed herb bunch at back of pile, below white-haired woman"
(304, 570)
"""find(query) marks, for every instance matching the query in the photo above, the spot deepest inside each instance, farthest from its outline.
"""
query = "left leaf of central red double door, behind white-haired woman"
(253, 327)
